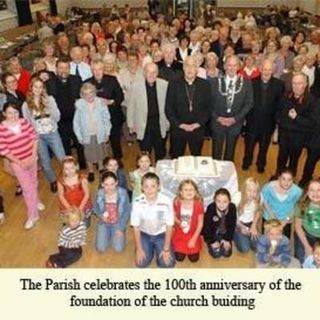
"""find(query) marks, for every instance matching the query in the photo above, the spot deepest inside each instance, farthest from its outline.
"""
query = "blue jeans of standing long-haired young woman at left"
(53, 142)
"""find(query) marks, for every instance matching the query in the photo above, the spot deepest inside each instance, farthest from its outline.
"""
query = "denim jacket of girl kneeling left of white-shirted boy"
(123, 203)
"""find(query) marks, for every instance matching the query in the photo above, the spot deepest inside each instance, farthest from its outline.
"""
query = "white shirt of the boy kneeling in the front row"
(152, 218)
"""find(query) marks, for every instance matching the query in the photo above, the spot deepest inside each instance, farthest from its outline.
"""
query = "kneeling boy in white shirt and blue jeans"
(152, 218)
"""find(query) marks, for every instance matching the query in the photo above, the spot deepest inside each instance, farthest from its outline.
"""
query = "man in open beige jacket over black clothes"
(145, 111)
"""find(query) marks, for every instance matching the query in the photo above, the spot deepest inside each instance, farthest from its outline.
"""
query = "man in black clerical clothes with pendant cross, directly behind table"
(187, 108)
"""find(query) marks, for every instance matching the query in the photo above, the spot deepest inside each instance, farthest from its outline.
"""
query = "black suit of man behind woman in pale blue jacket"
(109, 88)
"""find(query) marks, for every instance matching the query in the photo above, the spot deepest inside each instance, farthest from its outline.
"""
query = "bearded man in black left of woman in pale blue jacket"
(65, 88)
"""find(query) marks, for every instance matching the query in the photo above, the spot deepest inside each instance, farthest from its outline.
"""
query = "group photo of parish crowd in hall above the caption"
(160, 134)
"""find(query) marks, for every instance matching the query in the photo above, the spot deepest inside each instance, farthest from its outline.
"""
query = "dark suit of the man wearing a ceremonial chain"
(242, 103)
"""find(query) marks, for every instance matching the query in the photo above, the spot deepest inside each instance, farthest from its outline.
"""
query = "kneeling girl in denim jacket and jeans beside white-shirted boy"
(112, 206)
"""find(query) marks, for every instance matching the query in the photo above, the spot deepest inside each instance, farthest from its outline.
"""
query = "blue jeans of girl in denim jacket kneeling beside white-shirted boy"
(106, 236)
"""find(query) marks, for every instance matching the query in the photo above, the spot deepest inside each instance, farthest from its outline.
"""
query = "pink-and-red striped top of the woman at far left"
(20, 145)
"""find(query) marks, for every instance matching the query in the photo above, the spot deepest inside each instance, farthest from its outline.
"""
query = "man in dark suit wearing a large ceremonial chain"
(232, 100)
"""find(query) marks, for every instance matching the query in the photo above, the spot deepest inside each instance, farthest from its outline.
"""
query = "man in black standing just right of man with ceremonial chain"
(261, 119)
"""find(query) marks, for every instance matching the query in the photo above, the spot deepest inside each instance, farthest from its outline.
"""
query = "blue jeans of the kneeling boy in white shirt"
(153, 245)
